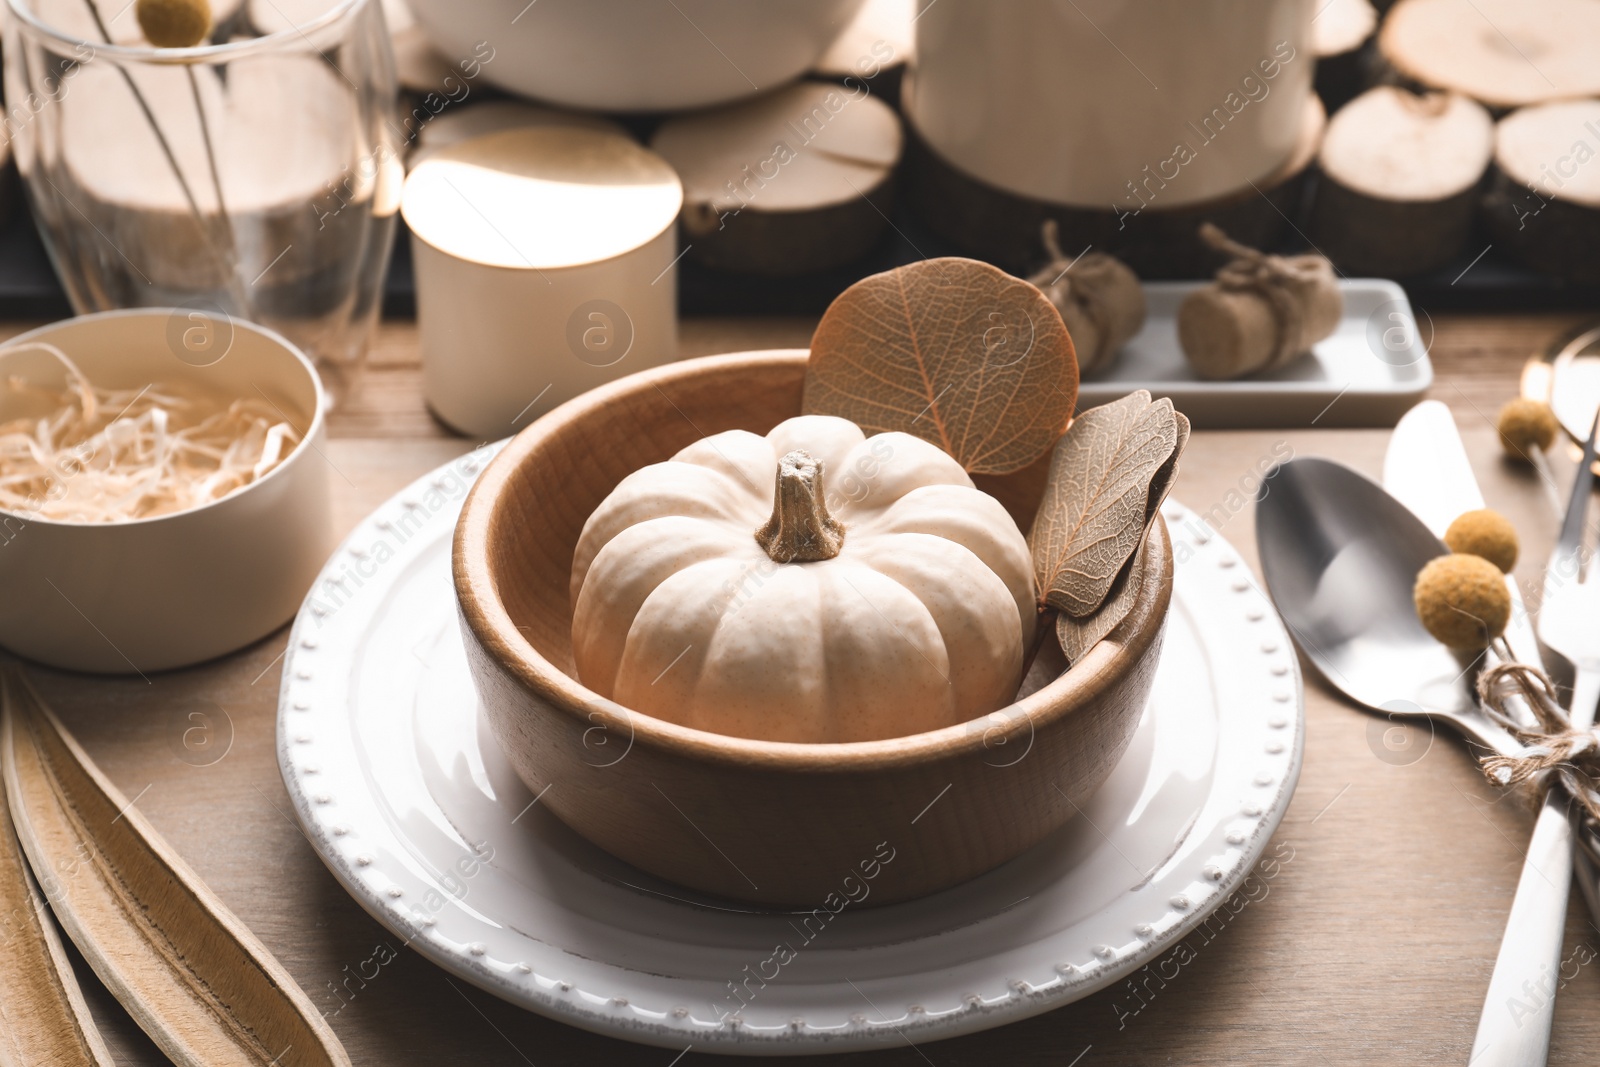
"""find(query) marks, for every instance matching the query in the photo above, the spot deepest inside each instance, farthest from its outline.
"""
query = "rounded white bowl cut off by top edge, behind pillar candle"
(638, 55)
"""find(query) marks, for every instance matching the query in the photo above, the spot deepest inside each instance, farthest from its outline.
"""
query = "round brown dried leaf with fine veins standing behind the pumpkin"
(954, 351)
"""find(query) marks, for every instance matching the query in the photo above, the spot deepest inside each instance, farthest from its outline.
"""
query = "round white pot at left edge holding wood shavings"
(172, 591)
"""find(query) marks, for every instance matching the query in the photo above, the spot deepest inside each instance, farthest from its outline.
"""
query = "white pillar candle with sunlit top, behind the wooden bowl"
(545, 266)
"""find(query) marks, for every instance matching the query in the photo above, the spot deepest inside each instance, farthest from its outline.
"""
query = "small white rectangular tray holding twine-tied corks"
(1369, 374)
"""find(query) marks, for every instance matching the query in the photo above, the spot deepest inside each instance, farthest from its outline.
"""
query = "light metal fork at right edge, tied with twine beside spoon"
(1514, 1029)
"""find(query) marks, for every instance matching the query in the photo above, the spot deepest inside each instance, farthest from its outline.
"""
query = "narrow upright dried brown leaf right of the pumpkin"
(1098, 498)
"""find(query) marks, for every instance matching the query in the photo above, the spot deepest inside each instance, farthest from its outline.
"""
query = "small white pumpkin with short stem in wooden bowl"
(882, 596)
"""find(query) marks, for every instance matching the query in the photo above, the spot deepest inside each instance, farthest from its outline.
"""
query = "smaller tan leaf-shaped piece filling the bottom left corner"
(44, 1021)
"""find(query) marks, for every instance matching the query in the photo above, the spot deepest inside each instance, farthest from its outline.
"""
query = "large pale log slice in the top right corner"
(1503, 54)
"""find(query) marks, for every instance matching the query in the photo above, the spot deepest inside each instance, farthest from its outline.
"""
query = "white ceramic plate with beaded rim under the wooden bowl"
(410, 804)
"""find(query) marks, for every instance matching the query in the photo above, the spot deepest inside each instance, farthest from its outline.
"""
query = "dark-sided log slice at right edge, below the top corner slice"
(1545, 193)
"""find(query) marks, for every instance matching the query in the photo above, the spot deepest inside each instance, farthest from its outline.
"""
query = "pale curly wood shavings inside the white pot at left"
(116, 455)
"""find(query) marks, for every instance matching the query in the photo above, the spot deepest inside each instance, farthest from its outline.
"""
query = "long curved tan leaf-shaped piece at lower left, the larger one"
(188, 972)
